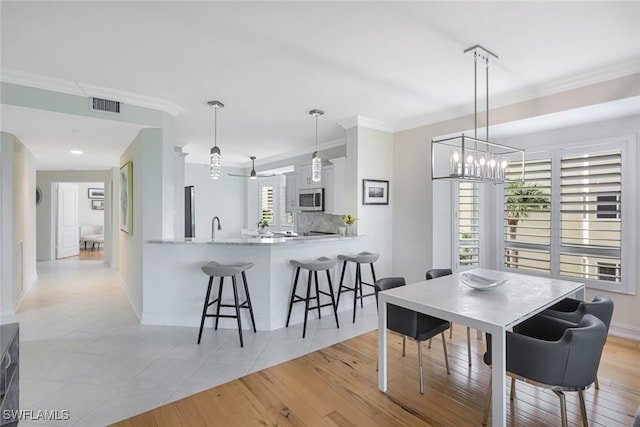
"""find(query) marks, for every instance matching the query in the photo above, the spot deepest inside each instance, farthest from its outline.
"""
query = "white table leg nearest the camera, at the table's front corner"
(499, 383)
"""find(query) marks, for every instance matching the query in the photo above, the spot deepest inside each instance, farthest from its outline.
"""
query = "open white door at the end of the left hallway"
(68, 239)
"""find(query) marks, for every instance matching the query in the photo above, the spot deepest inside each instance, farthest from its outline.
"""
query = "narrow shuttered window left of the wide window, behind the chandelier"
(468, 253)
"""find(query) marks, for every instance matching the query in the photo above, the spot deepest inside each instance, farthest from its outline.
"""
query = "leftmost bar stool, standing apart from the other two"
(214, 269)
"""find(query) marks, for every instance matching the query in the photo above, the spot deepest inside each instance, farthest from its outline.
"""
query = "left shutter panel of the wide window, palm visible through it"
(527, 217)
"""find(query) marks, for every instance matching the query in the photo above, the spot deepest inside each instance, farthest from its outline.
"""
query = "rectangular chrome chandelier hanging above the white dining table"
(464, 158)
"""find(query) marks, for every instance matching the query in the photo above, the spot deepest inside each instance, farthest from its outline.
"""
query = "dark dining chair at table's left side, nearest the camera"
(408, 323)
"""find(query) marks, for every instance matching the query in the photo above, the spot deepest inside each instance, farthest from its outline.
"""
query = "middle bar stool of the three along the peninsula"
(319, 264)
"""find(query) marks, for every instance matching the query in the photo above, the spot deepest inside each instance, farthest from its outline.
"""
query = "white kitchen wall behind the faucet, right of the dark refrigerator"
(224, 197)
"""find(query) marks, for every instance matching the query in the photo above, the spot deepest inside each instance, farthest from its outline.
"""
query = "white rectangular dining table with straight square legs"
(494, 310)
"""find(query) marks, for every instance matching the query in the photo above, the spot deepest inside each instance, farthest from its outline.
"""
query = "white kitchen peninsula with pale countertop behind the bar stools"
(177, 285)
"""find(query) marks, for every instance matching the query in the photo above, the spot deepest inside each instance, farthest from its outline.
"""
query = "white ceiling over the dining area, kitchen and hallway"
(399, 63)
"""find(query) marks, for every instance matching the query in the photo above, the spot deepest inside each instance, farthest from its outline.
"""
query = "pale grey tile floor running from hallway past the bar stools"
(83, 350)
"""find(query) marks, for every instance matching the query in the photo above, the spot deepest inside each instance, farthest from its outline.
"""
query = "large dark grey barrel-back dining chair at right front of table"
(556, 354)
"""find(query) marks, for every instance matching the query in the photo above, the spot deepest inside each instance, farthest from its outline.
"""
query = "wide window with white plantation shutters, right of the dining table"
(567, 220)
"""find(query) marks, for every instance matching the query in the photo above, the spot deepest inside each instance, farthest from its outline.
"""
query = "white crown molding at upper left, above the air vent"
(85, 89)
